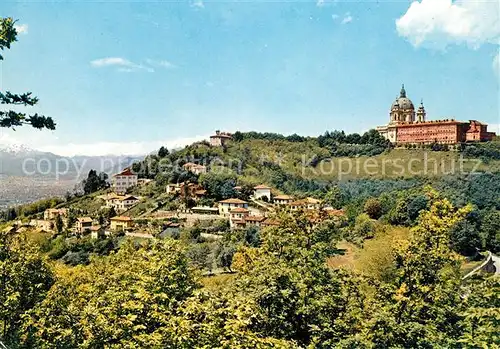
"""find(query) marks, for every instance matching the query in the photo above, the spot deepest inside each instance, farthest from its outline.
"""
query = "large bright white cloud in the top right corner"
(438, 23)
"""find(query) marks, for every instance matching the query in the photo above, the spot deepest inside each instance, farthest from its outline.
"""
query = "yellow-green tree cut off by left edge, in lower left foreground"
(25, 278)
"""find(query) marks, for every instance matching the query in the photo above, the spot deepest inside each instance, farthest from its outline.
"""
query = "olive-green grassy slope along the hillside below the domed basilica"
(398, 163)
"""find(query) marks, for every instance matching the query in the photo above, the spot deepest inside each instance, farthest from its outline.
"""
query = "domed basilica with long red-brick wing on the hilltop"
(409, 126)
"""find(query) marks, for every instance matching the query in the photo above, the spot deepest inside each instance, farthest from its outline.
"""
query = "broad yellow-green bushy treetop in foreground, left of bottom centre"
(125, 300)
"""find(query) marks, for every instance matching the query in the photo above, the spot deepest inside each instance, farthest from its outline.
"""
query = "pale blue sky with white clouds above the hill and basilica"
(124, 77)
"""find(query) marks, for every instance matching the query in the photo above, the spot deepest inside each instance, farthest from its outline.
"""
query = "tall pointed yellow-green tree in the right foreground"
(421, 307)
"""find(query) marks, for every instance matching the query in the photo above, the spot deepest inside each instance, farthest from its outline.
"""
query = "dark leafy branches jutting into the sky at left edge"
(11, 118)
